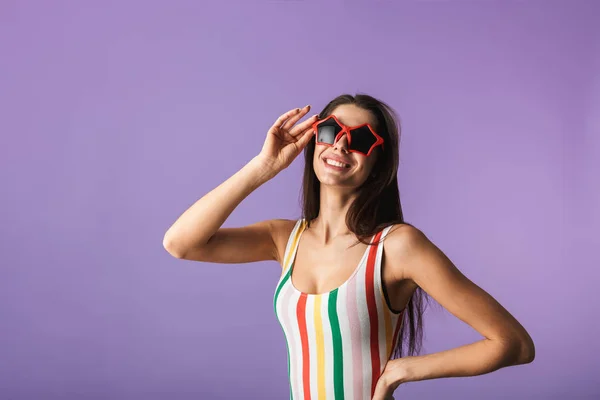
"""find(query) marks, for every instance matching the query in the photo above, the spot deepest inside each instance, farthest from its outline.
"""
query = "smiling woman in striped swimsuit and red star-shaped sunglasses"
(354, 273)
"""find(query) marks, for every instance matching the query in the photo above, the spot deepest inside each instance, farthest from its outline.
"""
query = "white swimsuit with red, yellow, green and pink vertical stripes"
(338, 342)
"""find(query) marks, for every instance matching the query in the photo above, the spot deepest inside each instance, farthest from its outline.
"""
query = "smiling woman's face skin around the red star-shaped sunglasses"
(358, 166)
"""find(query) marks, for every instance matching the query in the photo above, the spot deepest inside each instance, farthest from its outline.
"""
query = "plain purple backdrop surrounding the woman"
(106, 109)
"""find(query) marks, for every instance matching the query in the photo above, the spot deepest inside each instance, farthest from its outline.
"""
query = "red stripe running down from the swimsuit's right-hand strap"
(372, 307)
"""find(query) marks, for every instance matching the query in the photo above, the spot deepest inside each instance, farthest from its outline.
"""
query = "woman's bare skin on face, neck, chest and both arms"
(325, 260)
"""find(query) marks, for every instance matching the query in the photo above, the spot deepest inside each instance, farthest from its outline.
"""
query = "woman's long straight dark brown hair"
(377, 204)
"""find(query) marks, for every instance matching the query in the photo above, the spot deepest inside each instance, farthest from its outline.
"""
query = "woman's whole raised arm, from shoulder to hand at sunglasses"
(197, 233)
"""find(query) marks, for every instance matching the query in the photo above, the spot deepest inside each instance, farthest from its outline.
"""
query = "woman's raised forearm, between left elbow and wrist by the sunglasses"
(200, 221)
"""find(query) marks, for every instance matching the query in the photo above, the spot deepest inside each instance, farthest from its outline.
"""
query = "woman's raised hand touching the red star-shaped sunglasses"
(285, 141)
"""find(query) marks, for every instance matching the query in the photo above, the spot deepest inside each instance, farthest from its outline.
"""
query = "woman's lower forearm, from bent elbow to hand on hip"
(469, 360)
